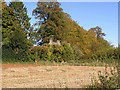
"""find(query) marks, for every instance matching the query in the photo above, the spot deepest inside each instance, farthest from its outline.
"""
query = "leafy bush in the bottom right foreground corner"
(107, 80)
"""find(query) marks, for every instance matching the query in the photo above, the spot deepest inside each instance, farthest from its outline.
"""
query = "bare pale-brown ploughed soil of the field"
(37, 76)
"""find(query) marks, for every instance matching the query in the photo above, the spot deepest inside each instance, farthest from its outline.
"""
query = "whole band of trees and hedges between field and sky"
(19, 37)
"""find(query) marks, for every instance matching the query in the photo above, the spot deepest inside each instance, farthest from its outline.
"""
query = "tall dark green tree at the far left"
(15, 26)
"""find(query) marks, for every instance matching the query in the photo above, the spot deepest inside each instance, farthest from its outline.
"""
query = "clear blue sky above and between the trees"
(89, 15)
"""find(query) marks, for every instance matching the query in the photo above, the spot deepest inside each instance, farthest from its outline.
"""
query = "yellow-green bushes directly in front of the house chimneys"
(55, 53)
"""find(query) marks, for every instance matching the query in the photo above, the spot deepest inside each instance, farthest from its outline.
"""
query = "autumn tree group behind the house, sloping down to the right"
(54, 22)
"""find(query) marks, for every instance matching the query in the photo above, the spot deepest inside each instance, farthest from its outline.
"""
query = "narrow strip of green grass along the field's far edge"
(70, 63)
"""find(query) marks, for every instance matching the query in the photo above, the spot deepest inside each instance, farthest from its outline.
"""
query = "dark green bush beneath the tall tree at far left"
(10, 55)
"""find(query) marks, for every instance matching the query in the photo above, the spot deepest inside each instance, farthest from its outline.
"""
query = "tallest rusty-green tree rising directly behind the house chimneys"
(50, 17)
